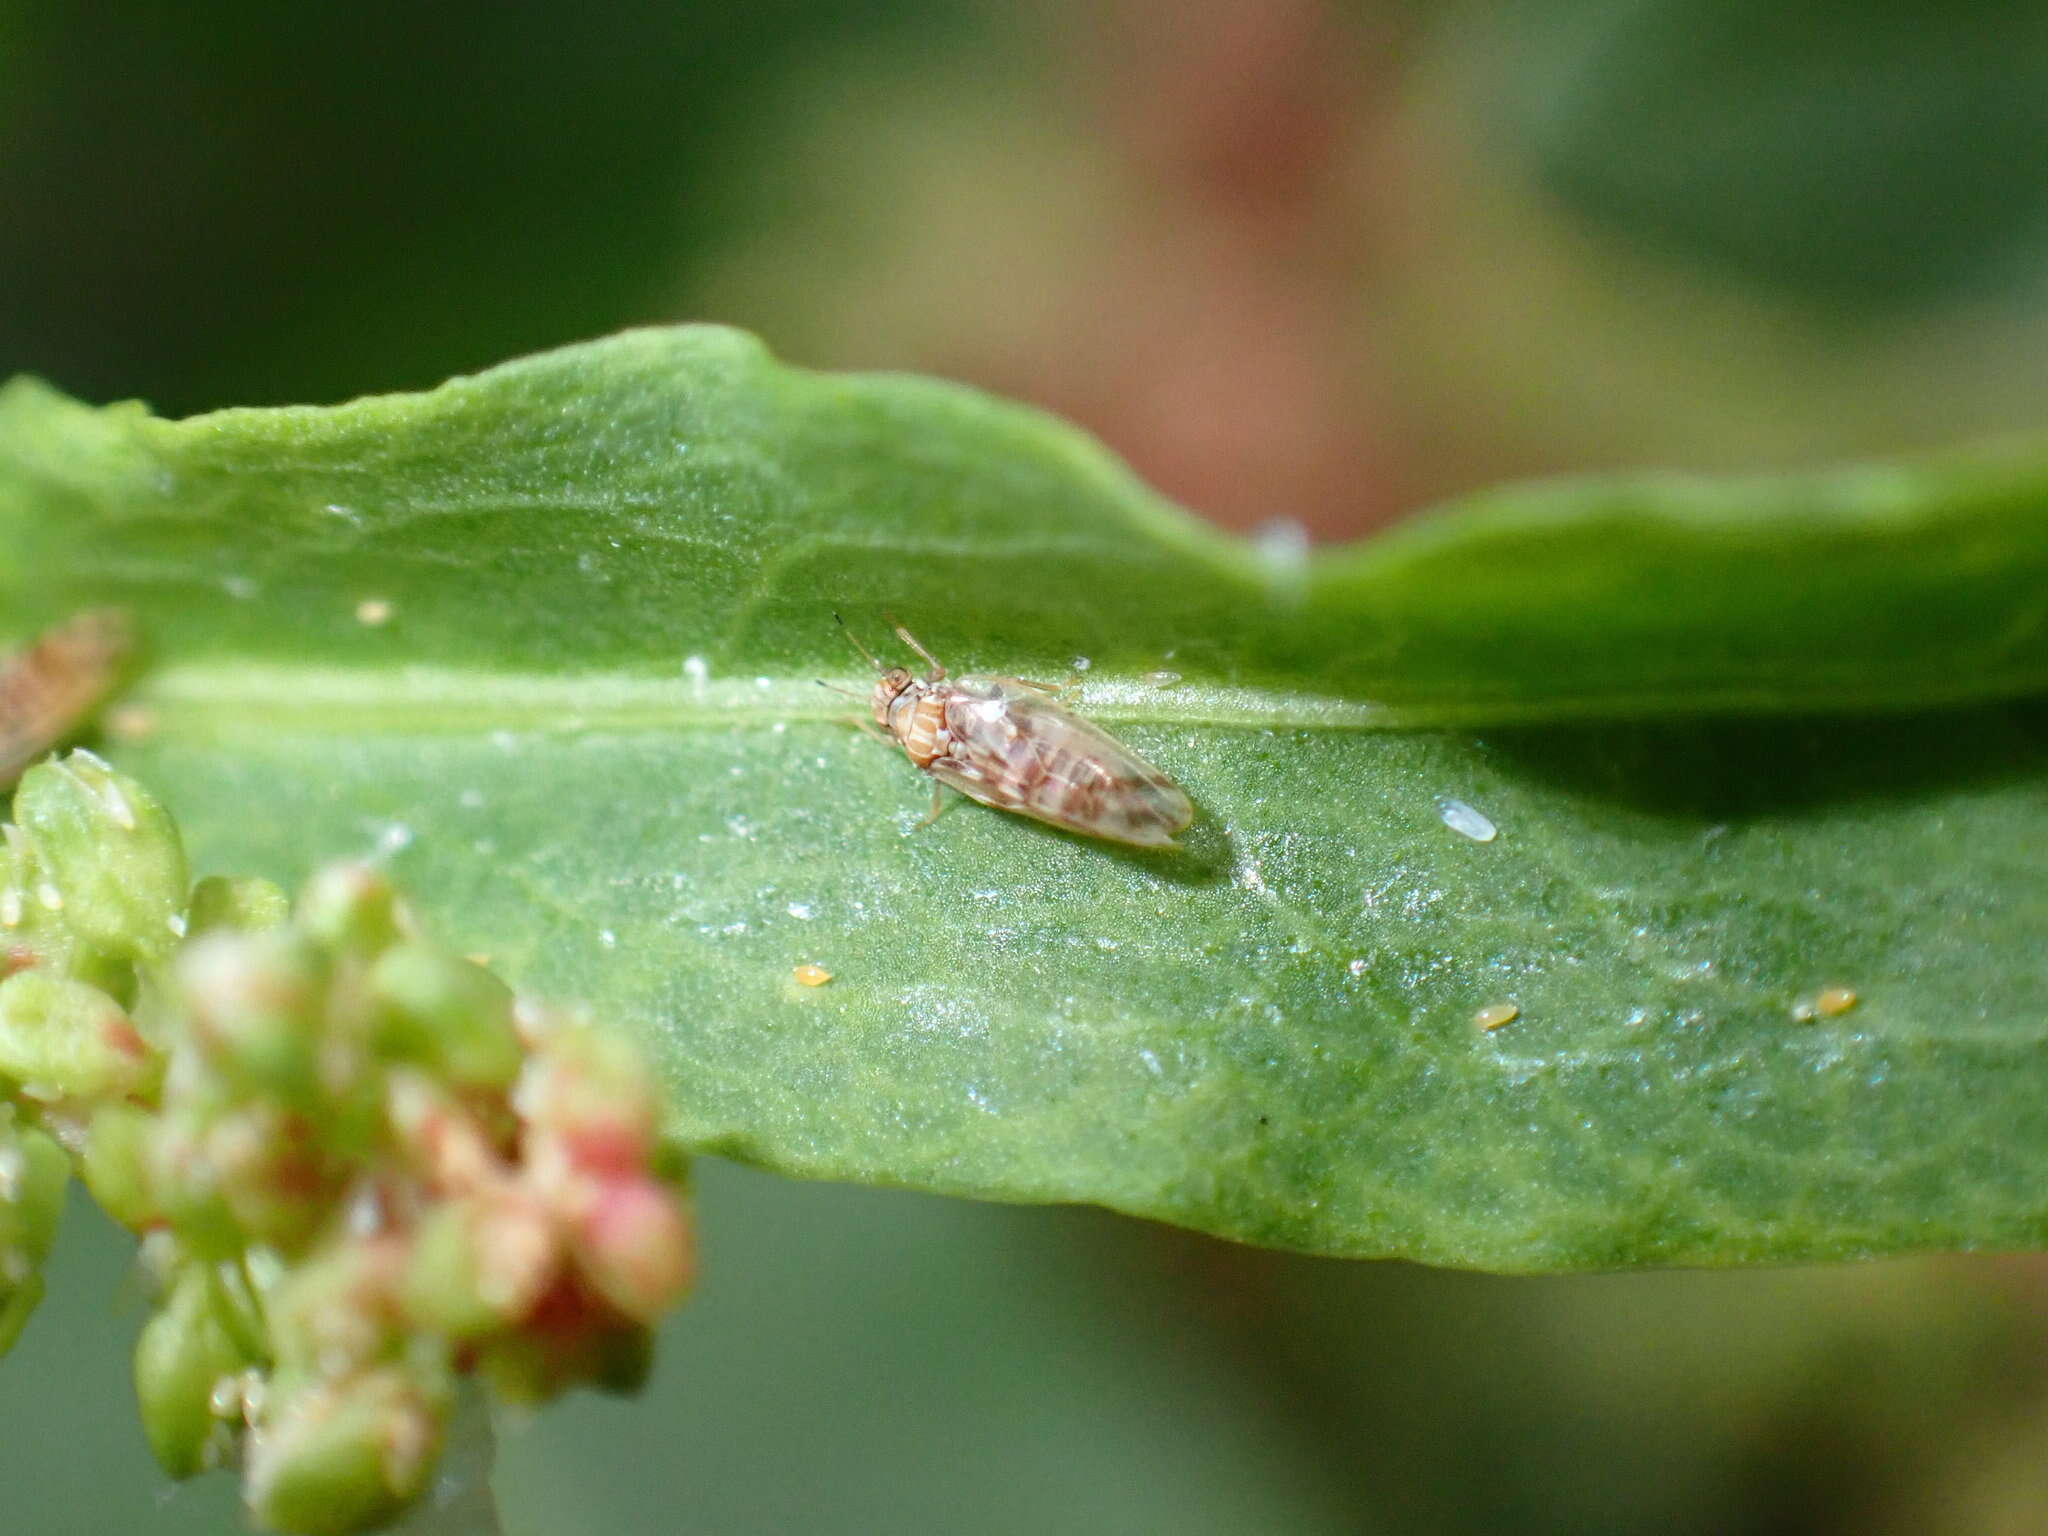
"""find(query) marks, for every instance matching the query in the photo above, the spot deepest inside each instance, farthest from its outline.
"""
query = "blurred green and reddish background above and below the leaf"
(1297, 261)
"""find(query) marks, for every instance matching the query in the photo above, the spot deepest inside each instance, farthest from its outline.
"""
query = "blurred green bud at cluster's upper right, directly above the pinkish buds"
(445, 1015)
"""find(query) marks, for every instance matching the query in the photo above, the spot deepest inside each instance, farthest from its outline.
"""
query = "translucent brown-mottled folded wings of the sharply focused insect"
(1019, 751)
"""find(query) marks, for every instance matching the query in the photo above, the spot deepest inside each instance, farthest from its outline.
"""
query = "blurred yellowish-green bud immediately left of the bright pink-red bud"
(482, 1265)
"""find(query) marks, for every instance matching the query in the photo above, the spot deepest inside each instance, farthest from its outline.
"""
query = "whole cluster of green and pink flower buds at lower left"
(361, 1166)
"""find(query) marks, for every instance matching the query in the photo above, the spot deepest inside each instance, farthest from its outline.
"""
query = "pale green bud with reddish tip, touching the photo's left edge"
(69, 1041)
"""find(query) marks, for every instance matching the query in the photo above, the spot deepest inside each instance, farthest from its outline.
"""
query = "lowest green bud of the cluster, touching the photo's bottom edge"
(347, 1455)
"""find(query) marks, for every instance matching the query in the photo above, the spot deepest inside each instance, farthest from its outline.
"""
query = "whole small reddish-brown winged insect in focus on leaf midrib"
(1009, 744)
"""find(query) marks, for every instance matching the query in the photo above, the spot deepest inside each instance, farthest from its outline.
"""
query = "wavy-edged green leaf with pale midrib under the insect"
(546, 642)
